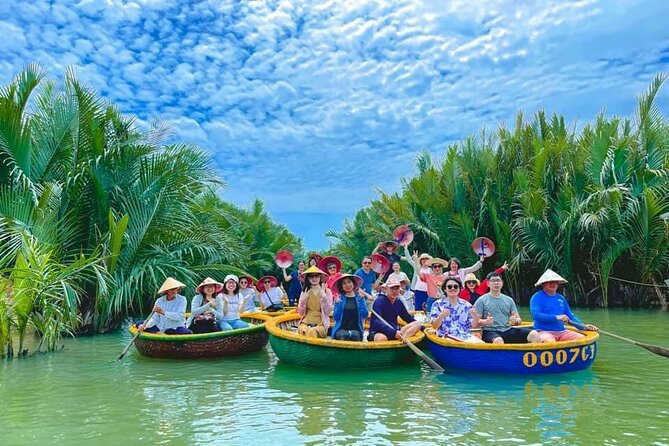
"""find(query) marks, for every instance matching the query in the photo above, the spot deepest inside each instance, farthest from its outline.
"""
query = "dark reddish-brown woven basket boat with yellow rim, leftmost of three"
(206, 345)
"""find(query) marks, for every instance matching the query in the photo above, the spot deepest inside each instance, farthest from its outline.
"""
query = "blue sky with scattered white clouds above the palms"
(312, 106)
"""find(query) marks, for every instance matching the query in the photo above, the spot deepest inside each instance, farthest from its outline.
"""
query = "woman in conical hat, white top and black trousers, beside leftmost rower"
(205, 307)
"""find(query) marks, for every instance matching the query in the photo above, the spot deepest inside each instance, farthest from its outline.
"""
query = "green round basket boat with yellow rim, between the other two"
(293, 348)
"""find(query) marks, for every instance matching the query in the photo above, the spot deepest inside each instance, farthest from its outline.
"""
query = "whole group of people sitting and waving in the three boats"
(458, 305)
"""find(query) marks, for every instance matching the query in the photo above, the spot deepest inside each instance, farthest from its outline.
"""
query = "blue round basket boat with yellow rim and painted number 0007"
(536, 358)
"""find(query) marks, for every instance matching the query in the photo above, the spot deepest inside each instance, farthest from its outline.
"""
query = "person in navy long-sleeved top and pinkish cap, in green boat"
(389, 307)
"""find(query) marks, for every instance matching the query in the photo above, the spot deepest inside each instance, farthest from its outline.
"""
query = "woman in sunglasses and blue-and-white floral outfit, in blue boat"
(451, 316)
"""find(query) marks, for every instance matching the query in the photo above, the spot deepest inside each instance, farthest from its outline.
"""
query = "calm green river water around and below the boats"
(83, 396)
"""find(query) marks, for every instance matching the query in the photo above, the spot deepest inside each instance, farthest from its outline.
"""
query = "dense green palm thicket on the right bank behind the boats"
(590, 203)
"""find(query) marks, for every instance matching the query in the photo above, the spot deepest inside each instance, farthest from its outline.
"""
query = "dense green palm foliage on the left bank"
(95, 213)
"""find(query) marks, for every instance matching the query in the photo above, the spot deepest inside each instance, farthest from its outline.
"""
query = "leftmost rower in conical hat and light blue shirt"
(168, 311)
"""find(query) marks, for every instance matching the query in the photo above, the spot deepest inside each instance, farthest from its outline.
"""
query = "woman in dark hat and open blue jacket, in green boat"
(350, 309)
